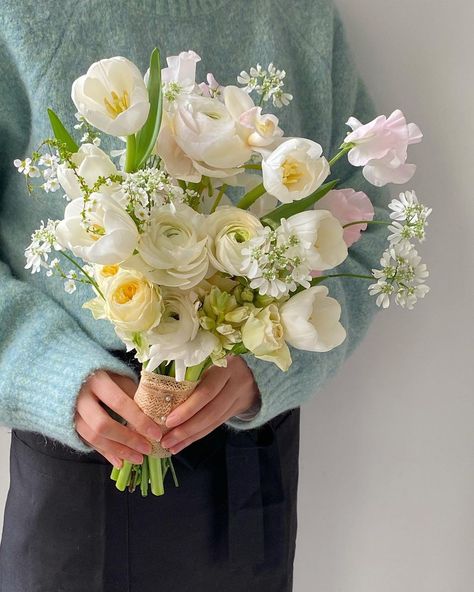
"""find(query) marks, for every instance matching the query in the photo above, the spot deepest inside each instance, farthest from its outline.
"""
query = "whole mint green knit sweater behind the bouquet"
(48, 343)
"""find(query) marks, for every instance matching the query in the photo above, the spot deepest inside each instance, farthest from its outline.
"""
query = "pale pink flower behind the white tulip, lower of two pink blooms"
(348, 206)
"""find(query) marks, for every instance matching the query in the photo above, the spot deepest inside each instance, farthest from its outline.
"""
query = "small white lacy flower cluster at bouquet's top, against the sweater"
(267, 83)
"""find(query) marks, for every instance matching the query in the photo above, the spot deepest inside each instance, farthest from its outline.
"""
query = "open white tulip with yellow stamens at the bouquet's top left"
(112, 97)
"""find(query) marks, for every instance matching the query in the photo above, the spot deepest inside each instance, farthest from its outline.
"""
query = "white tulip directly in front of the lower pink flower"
(322, 236)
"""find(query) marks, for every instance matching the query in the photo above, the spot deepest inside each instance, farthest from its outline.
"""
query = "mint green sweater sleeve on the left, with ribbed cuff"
(44, 354)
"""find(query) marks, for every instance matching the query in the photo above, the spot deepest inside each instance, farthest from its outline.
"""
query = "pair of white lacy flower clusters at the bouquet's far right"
(402, 274)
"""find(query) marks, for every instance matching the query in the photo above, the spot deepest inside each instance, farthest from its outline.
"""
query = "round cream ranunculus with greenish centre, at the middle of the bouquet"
(228, 227)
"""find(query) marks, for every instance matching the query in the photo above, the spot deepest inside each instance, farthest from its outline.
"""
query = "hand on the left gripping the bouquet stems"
(109, 437)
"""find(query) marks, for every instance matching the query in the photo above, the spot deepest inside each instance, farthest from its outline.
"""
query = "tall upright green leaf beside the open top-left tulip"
(146, 137)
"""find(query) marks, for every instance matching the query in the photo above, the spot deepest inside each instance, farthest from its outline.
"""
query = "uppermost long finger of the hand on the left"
(112, 395)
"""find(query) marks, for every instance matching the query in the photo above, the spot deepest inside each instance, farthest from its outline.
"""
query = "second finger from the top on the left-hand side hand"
(102, 425)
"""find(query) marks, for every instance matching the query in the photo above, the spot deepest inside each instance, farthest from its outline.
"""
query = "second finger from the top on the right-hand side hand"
(205, 420)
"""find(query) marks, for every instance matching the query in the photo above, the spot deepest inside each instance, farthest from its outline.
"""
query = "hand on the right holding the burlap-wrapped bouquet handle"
(221, 394)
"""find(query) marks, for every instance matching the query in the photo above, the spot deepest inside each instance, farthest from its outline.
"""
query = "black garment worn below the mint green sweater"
(229, 526)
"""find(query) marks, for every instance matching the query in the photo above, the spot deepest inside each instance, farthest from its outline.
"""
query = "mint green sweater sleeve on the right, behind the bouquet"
(281, 391)
